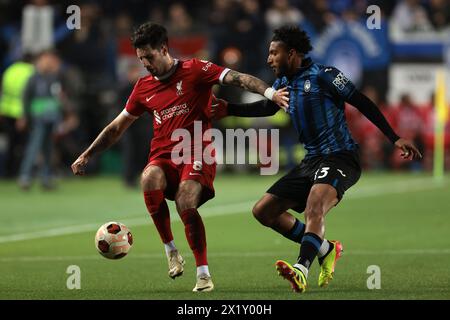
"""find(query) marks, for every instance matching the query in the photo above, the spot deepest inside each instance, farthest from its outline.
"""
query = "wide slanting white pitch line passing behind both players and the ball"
(229, 209)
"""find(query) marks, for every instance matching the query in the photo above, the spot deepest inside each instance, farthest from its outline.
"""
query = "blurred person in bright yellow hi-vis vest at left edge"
(14, 81)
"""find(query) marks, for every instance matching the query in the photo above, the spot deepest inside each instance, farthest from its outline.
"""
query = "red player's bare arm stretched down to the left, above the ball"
(109, 135)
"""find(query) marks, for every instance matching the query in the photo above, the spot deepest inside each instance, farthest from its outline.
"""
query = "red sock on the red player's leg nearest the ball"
(159, 211)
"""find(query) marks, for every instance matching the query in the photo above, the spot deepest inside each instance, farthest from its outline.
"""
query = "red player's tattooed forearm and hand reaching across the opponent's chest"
(253, 84)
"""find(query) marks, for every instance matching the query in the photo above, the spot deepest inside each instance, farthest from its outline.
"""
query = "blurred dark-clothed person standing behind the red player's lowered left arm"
(92, 51)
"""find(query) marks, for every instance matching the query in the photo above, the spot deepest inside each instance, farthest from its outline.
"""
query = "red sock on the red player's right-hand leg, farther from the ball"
(195, 235)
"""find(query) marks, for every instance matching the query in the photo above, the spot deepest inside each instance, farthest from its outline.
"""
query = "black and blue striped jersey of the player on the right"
(317, 97)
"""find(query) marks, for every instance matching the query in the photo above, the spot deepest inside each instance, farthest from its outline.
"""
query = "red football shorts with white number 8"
(199, 171)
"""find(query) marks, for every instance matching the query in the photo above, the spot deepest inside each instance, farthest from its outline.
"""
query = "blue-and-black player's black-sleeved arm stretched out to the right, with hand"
(371, 112)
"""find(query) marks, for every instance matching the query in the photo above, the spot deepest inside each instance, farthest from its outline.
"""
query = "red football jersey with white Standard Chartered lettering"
(176, 101)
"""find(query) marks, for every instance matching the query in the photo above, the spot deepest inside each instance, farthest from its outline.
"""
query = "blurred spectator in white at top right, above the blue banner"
(410, 16)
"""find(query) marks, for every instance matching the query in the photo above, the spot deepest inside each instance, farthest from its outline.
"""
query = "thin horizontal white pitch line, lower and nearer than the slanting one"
(249, 254)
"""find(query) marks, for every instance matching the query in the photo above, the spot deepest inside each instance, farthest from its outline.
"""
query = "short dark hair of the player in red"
(151, 34)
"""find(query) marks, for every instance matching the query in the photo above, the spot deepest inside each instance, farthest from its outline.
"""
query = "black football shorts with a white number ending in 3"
(340, 170)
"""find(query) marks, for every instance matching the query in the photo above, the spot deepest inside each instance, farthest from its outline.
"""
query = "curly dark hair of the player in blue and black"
(294, 38)
